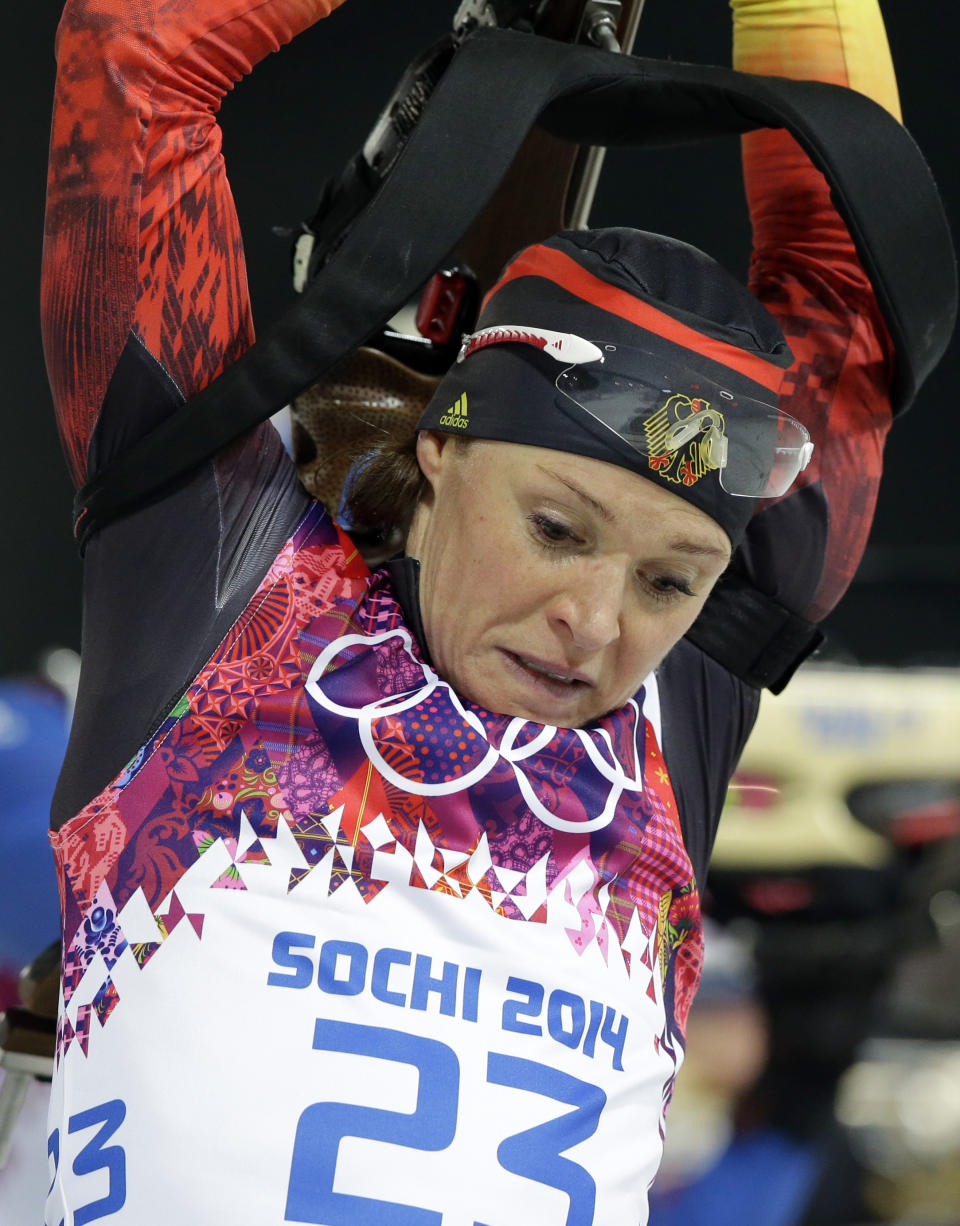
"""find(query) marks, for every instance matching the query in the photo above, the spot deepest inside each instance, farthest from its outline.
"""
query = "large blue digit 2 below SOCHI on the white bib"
(311, 1197)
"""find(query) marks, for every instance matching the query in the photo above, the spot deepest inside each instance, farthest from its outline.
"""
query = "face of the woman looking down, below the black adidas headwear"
(552, 584)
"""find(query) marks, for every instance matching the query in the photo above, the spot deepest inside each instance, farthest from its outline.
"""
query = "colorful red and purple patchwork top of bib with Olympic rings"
(327, 729)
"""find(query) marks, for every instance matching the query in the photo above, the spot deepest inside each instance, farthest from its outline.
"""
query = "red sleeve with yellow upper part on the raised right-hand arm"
(807, 273)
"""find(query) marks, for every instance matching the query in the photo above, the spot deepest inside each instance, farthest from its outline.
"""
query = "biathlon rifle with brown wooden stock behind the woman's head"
(549, 187)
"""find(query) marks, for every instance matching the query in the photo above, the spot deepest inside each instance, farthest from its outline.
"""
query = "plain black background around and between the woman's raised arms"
(297, 120)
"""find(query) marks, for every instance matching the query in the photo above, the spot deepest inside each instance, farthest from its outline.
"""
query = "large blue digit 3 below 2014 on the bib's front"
(535, 1154)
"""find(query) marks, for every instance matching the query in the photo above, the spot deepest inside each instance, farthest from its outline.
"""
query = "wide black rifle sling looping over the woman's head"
(498, 86)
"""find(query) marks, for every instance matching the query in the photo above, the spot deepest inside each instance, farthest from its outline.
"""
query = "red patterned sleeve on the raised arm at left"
(142, 236)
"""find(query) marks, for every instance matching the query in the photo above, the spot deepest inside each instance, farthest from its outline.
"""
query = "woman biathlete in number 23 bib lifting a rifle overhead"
(381, 891)
